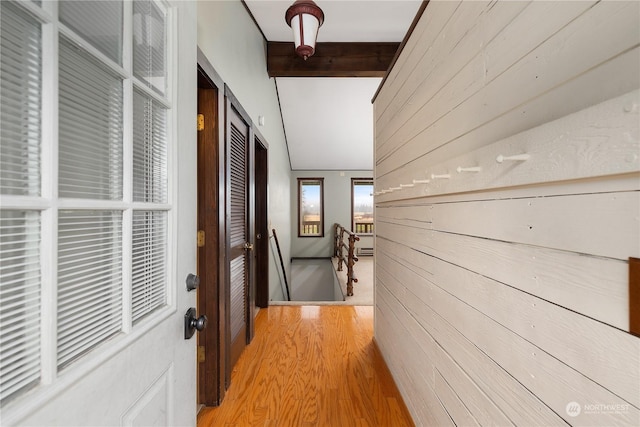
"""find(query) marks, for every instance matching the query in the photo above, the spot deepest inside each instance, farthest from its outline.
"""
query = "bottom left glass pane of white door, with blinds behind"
(19, 302)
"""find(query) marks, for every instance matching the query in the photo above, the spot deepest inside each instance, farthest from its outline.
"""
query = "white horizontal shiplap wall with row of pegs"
(502, 291)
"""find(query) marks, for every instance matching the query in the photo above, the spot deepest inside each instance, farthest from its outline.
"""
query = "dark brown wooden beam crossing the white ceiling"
(331, 60)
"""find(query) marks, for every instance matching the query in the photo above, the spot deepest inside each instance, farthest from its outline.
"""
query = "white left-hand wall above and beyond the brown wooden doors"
(235, 47)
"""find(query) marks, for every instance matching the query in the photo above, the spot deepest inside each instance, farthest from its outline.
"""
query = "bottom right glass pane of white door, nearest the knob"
(149, 262)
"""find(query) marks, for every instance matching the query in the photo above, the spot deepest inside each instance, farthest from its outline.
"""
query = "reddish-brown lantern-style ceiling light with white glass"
(305, 18)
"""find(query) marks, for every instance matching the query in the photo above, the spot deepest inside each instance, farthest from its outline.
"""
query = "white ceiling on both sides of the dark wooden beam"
(329, 121)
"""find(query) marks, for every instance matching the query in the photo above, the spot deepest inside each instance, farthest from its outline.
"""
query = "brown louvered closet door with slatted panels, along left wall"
(238, 260)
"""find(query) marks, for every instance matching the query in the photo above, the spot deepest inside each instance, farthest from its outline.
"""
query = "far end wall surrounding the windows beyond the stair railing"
(337, 209)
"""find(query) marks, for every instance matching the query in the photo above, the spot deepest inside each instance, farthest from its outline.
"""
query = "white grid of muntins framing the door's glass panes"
(48, 203)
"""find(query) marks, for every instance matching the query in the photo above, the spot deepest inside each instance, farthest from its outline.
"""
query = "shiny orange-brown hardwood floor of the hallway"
(311, 366)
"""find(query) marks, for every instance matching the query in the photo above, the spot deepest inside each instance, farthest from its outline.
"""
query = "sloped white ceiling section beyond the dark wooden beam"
(329, 122)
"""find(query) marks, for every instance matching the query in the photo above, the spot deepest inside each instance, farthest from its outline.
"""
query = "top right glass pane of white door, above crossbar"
(149, 44)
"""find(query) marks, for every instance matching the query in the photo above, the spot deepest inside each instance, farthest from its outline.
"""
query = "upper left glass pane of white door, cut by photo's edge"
(20, 77)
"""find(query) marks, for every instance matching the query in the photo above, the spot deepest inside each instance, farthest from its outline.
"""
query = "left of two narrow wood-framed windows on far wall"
(310, 207)
